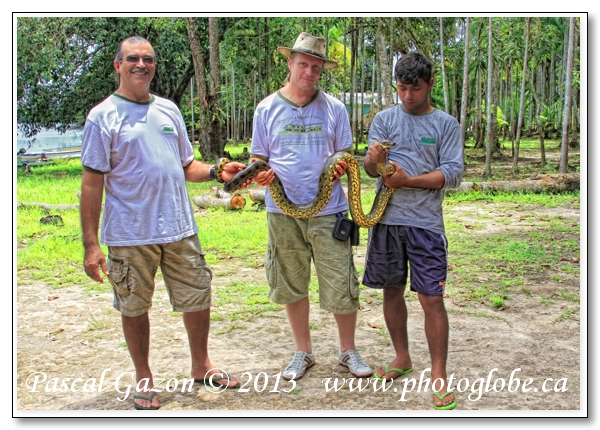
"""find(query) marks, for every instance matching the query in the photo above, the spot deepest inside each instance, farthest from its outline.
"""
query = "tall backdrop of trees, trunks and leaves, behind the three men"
(64, 68)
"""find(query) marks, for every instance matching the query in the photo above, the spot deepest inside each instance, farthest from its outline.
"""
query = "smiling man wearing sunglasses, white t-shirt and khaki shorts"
(135, 146)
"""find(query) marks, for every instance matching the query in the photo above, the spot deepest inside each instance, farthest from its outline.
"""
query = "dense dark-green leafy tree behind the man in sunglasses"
(65, 65)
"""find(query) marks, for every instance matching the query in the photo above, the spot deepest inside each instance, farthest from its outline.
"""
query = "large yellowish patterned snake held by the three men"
(325, 187)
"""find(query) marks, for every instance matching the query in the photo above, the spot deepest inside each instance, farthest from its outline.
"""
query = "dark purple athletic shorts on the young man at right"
(393, 248)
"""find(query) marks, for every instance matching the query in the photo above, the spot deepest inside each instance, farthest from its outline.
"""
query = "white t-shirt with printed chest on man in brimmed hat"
(298, 141)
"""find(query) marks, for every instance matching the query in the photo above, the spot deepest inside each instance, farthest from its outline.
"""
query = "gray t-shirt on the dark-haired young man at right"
(424, 143)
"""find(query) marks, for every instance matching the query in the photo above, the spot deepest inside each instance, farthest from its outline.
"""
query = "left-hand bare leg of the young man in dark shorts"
(395, 314)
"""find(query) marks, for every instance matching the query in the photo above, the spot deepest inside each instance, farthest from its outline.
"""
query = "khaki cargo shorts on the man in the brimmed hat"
(293, 243)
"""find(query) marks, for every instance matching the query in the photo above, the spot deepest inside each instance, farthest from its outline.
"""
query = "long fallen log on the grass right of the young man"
(537, 183)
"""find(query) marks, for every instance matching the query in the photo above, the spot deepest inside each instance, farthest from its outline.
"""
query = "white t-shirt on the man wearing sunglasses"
(142, 149)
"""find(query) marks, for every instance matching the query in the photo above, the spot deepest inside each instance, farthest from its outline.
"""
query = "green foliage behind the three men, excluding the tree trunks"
(65, 64)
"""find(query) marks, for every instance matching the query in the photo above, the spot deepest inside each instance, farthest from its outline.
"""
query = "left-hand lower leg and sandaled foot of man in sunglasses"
(137, 336)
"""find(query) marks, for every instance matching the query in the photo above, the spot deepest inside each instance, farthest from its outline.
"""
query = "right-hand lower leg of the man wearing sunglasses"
(197, 325)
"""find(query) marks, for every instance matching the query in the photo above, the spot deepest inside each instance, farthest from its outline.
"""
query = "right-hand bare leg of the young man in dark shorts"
(436, 331)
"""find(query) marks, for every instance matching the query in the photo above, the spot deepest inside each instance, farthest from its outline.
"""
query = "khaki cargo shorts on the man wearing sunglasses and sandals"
(186, 274)
